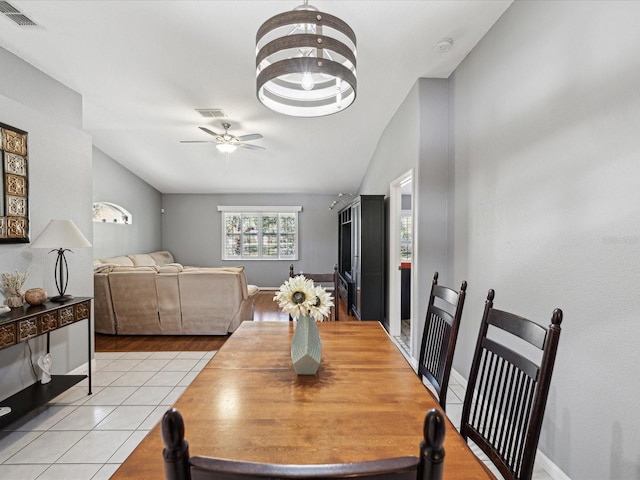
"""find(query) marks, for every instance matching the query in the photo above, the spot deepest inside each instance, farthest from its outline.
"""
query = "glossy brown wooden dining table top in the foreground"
(364, 403)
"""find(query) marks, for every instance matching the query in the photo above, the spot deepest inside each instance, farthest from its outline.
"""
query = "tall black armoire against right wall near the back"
(361, 234)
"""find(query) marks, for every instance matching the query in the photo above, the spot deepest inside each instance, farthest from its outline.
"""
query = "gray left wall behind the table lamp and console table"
(59, 188)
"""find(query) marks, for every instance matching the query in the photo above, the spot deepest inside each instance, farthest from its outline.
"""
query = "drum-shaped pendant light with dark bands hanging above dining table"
(306, 63)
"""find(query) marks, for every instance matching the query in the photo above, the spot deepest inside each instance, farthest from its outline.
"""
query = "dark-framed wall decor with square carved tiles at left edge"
(14, 211)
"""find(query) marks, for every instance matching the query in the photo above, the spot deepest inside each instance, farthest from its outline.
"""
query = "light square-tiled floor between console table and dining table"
(81, 437)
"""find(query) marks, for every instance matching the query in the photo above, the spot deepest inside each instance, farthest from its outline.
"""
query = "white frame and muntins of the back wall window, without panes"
(259, 212)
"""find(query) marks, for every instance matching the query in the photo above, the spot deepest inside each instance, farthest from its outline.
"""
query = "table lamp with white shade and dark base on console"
(60, 236)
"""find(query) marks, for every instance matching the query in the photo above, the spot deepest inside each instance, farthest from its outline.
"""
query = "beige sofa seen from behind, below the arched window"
(150, 294)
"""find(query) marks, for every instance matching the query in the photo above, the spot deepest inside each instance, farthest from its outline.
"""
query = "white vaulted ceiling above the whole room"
(143, 67)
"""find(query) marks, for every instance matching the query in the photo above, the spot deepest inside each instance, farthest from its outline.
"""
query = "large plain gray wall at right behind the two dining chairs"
(546, 111)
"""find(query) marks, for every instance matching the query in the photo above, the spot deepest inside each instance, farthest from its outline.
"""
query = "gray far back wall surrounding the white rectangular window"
(192, 231)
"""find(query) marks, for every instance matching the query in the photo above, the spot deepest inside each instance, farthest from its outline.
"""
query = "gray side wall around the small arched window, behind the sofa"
(115, 184)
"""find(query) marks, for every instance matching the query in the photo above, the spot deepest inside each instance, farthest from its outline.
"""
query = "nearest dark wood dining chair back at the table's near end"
(180, 466)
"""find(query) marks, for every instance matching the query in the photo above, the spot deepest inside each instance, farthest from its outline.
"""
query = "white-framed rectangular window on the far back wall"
(260, 233)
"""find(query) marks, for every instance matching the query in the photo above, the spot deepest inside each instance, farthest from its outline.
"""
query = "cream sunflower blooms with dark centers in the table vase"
(299, 296)
